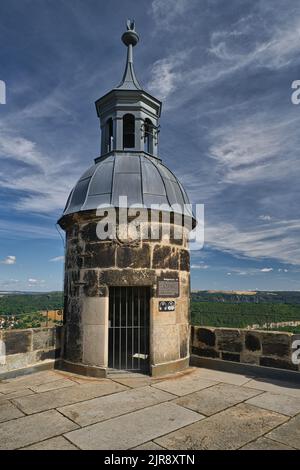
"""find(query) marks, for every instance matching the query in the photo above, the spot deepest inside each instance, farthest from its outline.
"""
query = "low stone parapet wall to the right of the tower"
(263, 348)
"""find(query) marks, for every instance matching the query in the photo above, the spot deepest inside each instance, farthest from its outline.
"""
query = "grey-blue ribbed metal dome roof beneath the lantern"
(144, 180)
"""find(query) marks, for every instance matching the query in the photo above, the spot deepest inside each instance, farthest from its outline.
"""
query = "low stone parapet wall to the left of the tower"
(30, 347)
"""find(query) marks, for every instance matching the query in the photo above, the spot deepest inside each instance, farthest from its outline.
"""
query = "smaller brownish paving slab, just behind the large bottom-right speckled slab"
(217, 398)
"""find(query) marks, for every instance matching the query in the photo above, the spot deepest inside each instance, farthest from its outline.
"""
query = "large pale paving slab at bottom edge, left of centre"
(129, 431)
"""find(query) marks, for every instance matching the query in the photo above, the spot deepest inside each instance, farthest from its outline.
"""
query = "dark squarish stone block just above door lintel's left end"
(100, 255)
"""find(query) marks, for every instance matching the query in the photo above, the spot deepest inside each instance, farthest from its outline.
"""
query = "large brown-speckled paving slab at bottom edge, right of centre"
(228, 430)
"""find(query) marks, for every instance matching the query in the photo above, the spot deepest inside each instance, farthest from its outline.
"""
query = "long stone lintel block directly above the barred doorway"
(127, 277)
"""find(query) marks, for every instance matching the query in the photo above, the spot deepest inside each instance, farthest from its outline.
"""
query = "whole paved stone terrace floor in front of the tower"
(197, 409)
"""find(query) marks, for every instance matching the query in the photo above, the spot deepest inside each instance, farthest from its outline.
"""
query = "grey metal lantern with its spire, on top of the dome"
(128, 115)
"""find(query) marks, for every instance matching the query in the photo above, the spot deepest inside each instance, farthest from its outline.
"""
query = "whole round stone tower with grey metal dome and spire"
(127, 268)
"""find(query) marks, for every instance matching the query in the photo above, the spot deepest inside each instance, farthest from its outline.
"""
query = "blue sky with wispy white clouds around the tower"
(228, 129)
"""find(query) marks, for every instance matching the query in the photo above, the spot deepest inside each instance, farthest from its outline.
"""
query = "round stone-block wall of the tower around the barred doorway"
(92, 266)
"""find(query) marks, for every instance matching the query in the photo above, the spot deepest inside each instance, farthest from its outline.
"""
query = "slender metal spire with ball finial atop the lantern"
(130, 38)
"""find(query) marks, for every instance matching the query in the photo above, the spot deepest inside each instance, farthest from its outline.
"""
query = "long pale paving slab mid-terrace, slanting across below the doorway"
(110, 406)
